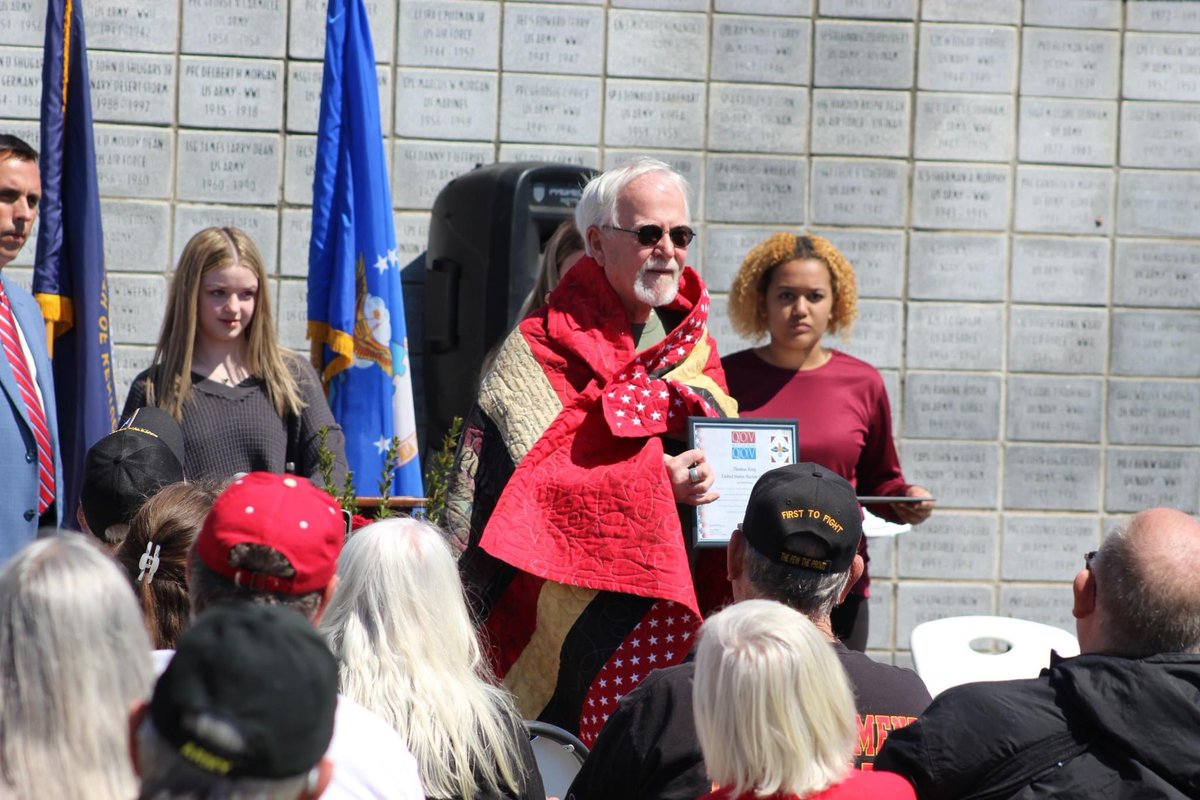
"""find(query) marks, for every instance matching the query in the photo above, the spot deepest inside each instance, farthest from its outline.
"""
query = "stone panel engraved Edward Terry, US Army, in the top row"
(541, 39)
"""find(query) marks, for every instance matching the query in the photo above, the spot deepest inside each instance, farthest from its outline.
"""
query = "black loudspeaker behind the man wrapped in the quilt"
(487, 234)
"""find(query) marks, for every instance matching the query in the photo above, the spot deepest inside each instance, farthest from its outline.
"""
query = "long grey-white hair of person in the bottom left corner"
(75, 655)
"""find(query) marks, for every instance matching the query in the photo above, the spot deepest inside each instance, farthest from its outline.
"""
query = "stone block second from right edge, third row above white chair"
(1052, 478)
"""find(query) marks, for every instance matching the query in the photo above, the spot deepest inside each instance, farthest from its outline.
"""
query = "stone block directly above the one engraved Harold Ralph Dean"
(865, 56)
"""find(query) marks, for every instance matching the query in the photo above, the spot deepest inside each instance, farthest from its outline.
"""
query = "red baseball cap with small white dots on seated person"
(285, 513)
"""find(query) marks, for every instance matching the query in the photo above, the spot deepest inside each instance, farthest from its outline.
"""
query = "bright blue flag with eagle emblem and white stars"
(356, 306)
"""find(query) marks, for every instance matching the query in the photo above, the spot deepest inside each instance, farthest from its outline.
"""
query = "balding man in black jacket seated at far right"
(1123, 720)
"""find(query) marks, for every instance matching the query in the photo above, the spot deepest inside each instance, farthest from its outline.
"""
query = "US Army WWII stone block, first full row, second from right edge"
(1071, 64)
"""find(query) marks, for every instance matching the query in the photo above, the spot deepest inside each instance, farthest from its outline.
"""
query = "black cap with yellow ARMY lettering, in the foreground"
(250, 693)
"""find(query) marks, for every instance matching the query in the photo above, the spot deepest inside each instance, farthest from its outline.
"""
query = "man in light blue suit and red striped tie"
(29, 449)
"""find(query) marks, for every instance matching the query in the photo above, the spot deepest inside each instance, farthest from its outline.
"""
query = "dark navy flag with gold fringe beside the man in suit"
(69, 273)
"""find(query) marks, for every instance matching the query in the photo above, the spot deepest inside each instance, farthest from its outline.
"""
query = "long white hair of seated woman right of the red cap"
(400, 629)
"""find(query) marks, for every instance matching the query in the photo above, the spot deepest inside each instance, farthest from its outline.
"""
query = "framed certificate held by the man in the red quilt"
(739, 452)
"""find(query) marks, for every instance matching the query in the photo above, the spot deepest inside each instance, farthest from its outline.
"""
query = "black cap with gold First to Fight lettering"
(795, 503)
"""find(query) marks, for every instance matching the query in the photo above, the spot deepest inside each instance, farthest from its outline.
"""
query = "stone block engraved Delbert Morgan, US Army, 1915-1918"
(245, 94)
